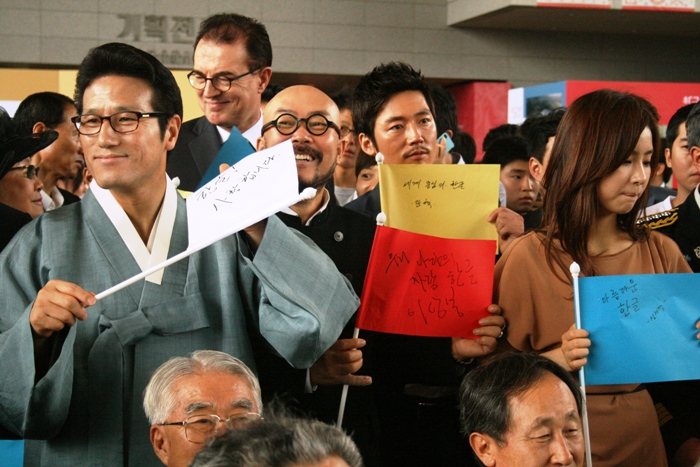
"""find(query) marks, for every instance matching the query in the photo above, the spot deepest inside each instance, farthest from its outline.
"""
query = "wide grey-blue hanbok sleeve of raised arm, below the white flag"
(301, 300)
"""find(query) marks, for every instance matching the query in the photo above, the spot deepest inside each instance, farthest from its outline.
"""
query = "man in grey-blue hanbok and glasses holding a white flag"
(77, 386)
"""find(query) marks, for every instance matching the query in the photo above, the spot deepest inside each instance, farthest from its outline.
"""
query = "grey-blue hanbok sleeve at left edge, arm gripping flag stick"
(22, 267)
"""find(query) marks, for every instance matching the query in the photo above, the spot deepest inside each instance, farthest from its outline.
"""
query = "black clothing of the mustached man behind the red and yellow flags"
(414, 430)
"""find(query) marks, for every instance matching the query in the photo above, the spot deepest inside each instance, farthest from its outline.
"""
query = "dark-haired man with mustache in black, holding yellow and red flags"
(415, 379)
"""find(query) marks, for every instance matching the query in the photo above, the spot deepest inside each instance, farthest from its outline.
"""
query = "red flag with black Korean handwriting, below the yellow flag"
(421, 285)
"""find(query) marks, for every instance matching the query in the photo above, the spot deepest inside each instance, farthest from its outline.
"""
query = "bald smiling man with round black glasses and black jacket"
(312, 121)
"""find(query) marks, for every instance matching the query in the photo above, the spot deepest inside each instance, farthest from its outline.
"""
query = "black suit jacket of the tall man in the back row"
(197, 145)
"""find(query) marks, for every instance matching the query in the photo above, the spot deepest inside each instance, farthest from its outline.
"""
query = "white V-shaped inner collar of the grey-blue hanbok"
(156, 251)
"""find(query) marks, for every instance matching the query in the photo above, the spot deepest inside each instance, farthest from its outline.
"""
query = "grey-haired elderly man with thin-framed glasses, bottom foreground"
(190, 400)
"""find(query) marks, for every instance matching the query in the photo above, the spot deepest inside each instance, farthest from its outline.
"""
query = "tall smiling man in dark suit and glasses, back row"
(232, 67)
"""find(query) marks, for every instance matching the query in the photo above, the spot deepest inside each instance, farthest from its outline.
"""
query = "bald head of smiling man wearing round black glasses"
(316, 153)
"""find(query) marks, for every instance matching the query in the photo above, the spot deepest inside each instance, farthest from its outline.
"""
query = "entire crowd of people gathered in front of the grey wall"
(237, 355)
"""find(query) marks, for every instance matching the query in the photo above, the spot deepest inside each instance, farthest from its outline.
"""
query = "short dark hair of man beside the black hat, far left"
(46, 107)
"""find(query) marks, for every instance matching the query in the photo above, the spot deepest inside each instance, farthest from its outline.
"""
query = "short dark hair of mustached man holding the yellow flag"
(378, 86)
